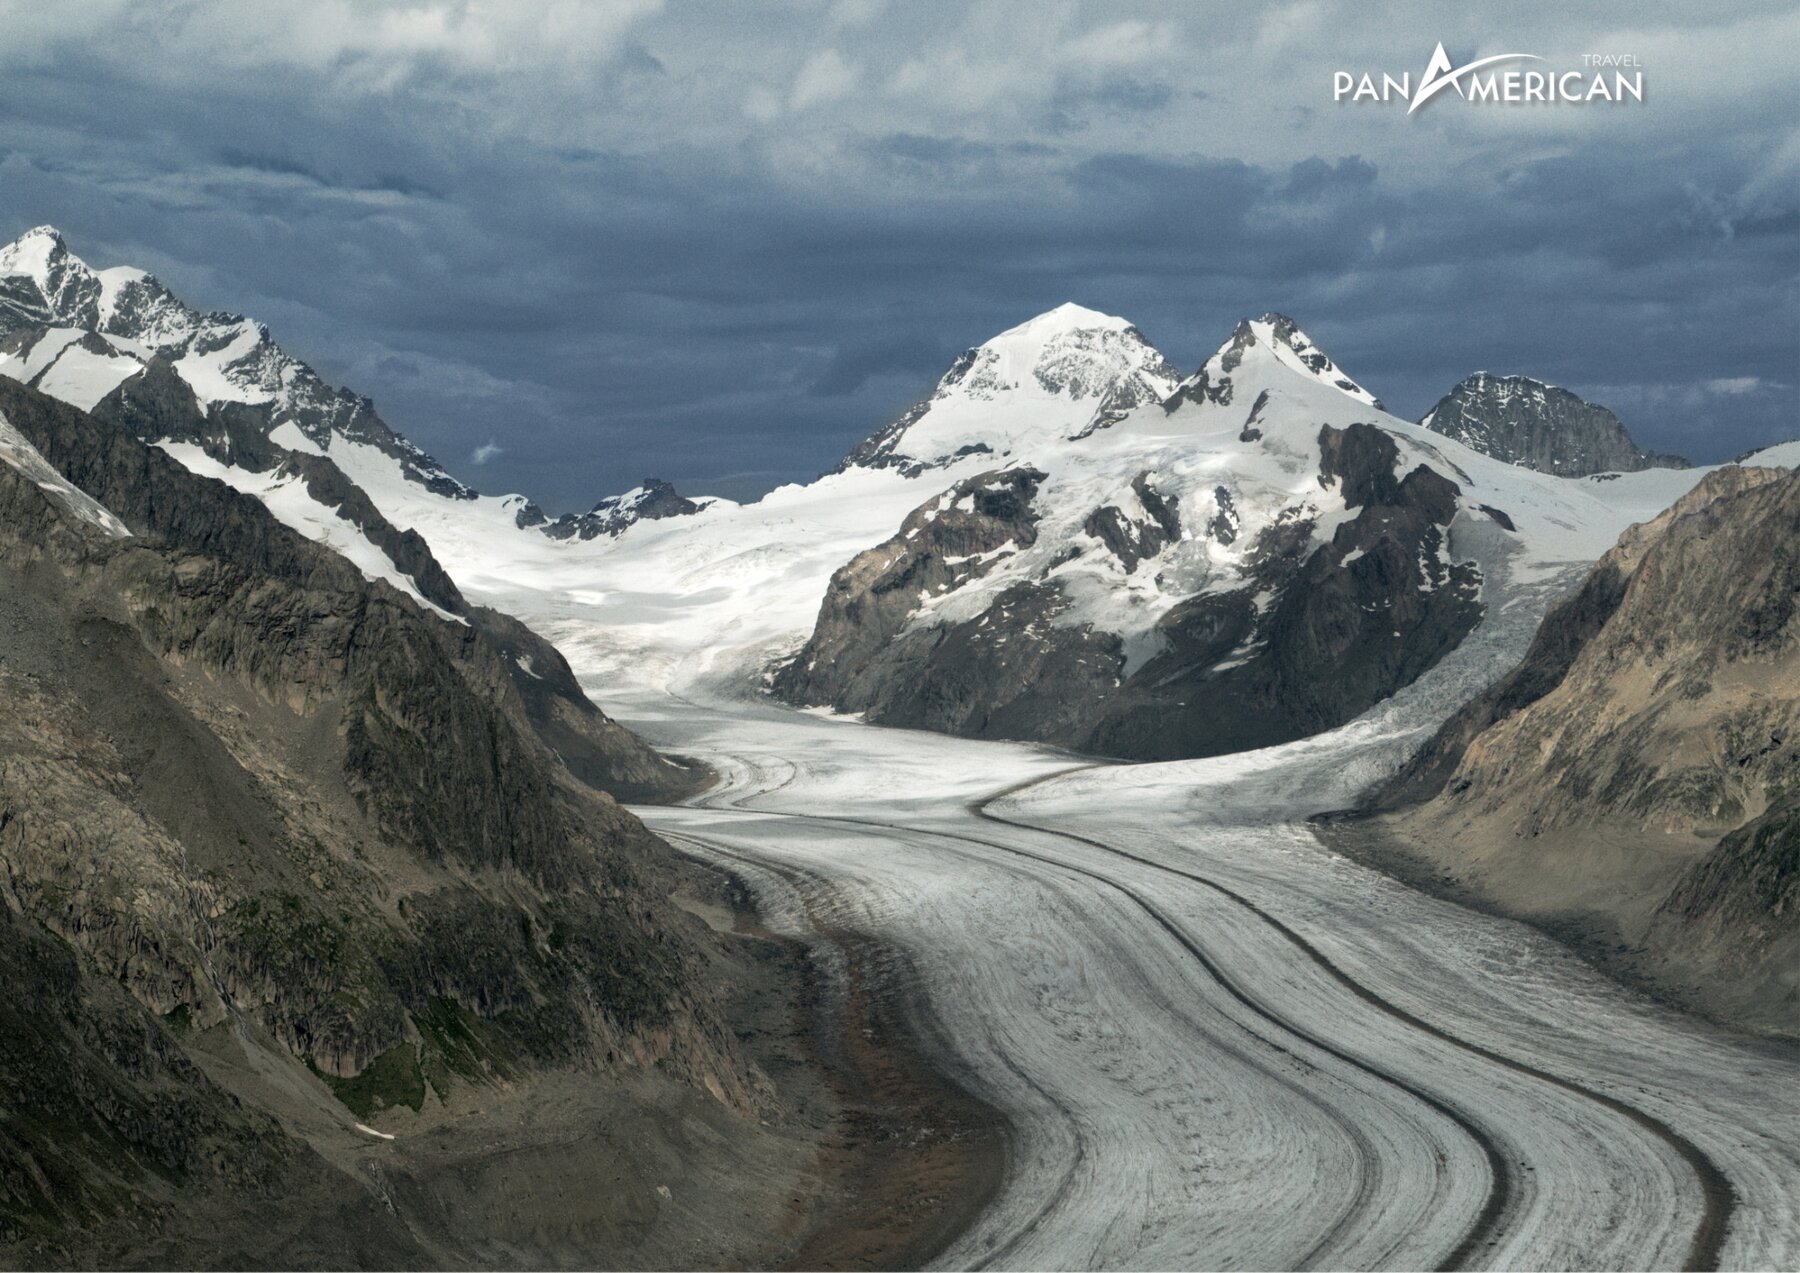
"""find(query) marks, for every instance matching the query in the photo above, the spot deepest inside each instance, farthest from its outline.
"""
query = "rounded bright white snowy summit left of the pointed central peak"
(1061, 375)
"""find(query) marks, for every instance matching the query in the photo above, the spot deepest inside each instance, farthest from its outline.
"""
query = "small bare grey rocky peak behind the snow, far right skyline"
(1527, 422)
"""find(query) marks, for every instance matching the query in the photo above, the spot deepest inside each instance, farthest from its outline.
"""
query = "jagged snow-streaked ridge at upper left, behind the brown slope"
(165, 357)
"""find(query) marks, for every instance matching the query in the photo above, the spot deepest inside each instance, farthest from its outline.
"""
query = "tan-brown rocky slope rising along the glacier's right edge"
(1633, 781)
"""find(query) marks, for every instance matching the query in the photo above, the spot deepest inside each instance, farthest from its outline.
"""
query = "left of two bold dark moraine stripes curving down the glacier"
(1502, 1189)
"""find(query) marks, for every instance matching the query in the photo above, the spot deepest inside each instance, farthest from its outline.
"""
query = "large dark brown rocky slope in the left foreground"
(258, 806)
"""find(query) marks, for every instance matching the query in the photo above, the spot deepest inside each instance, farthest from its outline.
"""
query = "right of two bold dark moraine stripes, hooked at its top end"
(1718, 1196)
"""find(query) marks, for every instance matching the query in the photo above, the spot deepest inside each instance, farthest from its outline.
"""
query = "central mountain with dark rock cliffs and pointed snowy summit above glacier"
(1259, 555)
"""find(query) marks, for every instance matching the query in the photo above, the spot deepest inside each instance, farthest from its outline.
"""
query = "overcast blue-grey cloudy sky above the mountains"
(568, 246)
